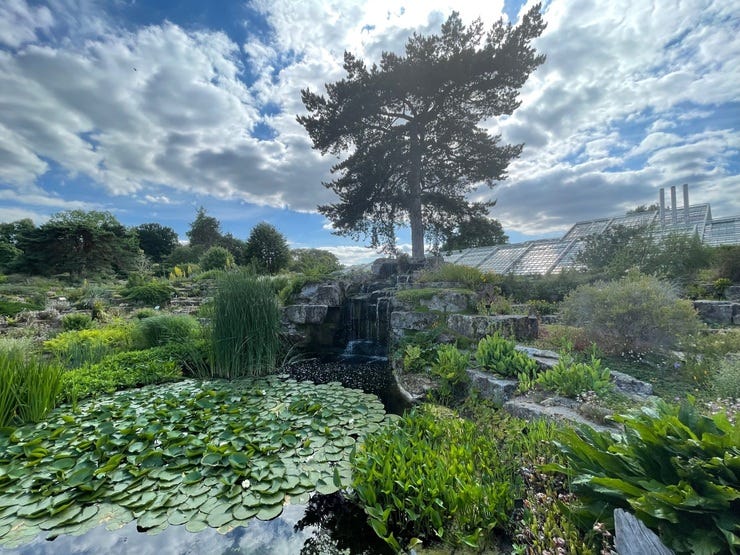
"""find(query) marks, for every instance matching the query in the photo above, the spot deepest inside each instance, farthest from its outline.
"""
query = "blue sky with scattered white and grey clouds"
(149, 109)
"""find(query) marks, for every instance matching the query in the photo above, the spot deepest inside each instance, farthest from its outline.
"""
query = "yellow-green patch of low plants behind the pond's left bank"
(80, 347)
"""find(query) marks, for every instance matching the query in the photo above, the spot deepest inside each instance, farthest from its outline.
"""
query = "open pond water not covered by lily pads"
(326, 525)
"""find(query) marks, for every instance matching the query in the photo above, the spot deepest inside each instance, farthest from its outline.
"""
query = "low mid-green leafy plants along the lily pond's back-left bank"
(120, 371)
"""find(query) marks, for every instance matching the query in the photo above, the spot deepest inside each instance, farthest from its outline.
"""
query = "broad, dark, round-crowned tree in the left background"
(79, 243)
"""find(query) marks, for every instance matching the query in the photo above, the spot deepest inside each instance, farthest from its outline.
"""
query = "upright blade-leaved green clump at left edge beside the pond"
(29, 387)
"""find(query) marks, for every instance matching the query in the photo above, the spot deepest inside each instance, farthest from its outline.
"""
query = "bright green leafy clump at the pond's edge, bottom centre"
(434, 477)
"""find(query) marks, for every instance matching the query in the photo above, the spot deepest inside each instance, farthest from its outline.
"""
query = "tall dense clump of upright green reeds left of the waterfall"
(245, 326)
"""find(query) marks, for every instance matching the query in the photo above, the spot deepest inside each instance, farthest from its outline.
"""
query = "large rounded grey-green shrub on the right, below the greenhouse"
(635, 313)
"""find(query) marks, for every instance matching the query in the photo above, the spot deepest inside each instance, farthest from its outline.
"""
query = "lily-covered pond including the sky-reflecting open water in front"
(194, 464)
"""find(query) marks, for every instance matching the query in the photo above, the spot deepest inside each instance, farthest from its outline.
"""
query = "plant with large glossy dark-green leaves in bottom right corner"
(674, 468)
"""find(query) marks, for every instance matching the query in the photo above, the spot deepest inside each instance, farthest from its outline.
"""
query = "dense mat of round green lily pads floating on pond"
(202, 454)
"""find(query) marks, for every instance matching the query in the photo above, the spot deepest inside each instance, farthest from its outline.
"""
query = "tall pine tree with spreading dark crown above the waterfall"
(411, 127)
